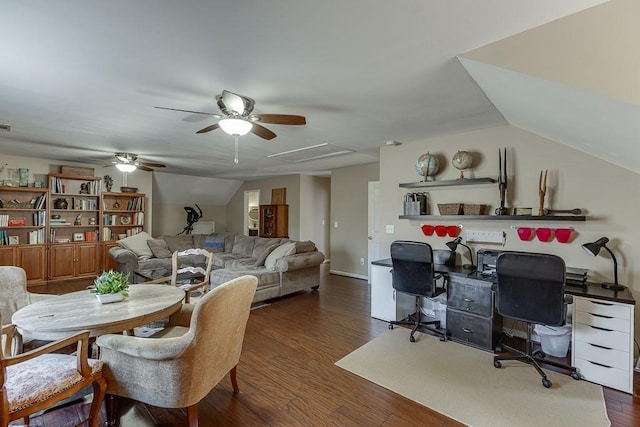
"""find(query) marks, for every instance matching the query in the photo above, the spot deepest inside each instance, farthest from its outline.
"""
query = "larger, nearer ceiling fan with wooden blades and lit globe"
(237, 117)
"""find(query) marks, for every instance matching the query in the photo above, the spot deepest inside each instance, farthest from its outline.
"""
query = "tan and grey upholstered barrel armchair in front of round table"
(181, 364)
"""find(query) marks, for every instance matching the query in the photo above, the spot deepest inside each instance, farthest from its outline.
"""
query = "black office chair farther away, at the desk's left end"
(413, 274)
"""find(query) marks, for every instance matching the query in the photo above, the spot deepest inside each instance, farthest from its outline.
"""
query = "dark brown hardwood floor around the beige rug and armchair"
(287, 375)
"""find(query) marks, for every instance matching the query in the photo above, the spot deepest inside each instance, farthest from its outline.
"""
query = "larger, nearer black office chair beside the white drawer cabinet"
(531, 289)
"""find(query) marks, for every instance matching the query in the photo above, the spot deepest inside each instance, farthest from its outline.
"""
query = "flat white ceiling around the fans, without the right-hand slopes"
(78, 80)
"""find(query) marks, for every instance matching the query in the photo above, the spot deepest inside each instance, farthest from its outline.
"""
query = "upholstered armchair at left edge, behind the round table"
(14, 296)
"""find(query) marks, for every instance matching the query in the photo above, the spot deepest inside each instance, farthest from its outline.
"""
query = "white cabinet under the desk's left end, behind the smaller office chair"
(386, 304)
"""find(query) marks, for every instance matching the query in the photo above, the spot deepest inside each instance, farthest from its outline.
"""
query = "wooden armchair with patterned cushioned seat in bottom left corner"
(40, 378)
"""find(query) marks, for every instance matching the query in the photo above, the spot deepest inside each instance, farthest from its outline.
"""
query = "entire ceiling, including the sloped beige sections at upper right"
(78, 82)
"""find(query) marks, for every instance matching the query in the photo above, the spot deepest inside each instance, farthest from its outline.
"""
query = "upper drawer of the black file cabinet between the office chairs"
(472, 296)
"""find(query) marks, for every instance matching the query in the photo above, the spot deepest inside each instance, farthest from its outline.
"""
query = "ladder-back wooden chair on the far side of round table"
(195, 262)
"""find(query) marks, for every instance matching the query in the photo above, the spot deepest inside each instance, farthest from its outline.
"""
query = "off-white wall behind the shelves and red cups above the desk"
(609, 195)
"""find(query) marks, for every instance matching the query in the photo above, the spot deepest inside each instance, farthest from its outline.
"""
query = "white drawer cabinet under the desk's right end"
(602, 345)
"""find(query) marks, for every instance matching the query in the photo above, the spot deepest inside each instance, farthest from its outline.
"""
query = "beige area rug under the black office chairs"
(461, 382)
